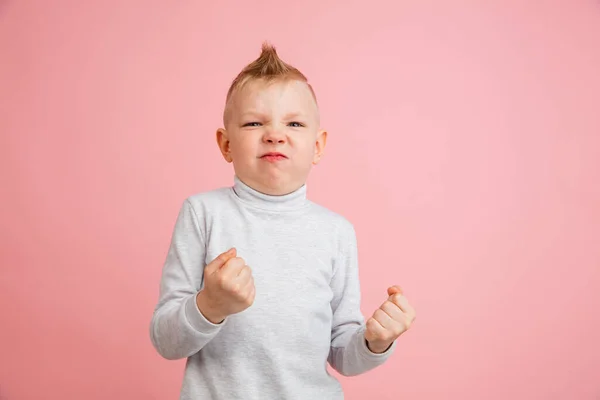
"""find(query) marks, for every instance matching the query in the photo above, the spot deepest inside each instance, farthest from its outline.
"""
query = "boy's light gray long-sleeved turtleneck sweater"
(307, 307)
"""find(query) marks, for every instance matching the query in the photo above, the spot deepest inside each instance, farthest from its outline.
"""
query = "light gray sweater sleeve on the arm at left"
(178, 329)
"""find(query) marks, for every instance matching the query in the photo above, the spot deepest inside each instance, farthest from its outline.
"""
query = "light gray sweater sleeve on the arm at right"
(349, 354)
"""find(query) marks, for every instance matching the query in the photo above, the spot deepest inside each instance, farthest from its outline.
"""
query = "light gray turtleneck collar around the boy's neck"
(291, 201)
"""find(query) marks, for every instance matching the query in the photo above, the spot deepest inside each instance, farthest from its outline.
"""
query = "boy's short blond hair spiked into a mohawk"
(267, 67)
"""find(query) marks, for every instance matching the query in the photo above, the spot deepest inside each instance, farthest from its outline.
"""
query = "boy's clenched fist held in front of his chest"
(228, 287)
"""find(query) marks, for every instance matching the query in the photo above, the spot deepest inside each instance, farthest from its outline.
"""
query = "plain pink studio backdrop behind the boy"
(464, 145)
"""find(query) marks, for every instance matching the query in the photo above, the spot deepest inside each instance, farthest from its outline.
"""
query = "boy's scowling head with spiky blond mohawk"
(271, 128)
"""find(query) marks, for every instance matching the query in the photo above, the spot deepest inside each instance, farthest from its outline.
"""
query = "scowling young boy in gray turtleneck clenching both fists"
(260, 287)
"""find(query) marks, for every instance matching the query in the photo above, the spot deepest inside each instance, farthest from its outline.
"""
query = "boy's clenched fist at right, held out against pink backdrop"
(389, 321)
